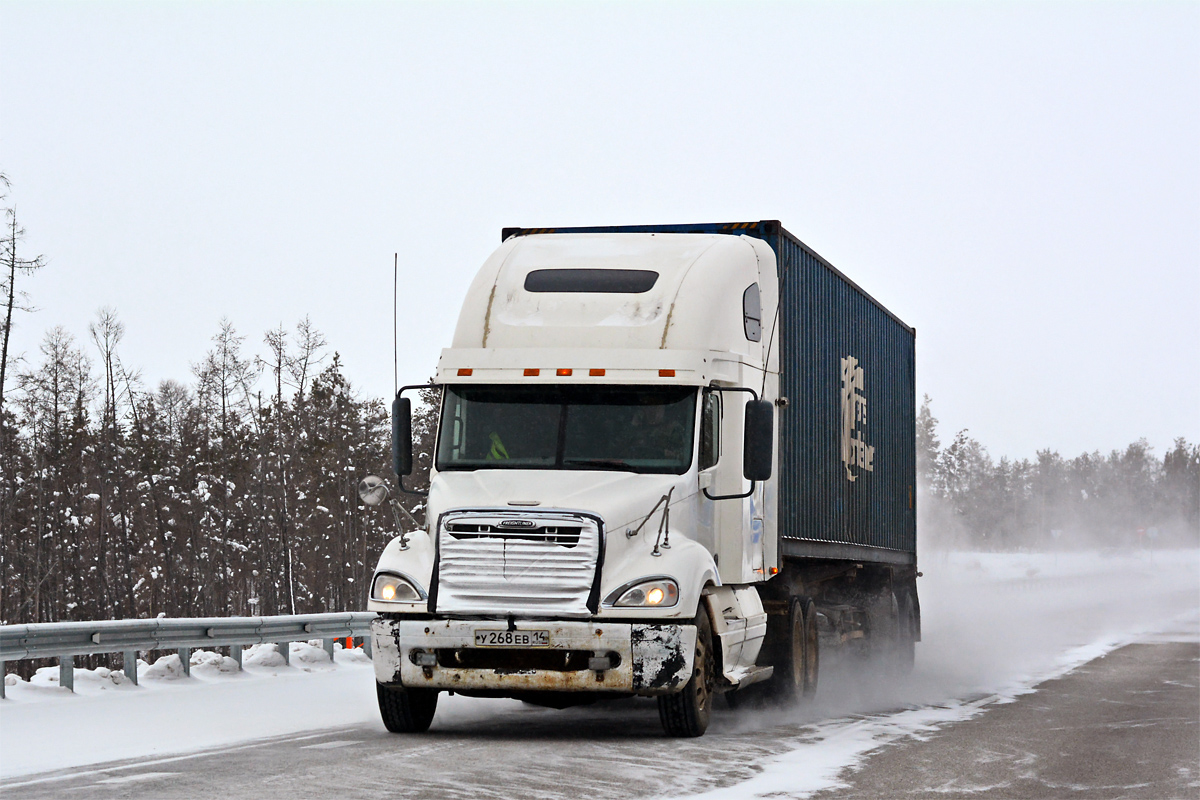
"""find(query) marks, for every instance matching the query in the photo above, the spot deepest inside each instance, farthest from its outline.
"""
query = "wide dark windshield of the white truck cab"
(634, 429)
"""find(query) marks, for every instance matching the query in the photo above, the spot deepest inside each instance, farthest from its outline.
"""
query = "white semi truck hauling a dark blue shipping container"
(673, 461)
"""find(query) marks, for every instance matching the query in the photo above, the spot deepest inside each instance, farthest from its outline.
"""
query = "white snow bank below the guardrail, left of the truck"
(45, 727)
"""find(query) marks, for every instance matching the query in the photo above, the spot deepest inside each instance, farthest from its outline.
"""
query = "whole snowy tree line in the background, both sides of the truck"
(236, 494)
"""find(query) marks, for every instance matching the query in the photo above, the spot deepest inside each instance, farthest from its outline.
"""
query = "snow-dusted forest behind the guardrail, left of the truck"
(232, 495)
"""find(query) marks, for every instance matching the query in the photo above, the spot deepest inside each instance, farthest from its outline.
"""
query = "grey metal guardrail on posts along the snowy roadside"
(65, 641)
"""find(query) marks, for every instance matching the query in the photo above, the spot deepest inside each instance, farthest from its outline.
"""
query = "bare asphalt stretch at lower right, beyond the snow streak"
(1124, 726)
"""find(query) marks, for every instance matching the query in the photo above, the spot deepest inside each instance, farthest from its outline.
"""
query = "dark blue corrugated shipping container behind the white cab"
(848, 435)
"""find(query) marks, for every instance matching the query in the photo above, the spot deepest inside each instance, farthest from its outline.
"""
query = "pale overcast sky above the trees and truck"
(1019, 182)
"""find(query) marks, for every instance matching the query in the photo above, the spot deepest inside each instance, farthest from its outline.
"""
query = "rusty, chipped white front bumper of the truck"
(645, 659)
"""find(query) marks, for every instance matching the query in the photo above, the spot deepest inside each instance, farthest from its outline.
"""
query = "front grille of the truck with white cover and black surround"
(517, 563)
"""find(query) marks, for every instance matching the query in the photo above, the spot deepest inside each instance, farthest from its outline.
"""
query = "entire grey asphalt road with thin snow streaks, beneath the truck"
(1124, 726)
